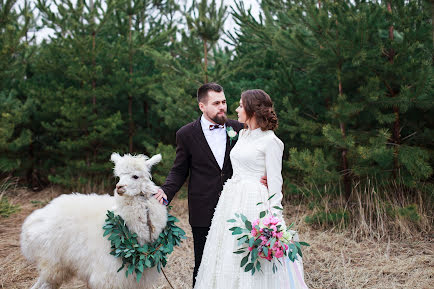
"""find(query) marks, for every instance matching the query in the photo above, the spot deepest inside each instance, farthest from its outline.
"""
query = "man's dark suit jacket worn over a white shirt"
(195, 158)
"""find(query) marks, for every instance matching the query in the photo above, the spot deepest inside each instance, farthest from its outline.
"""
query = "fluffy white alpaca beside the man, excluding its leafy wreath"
(65, 238)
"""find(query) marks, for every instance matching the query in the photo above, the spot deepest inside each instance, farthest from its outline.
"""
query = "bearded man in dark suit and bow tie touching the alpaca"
(202, 152)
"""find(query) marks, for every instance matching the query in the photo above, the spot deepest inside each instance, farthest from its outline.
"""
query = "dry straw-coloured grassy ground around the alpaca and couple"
(334, 260)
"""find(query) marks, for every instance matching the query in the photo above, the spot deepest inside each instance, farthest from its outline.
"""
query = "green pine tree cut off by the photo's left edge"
(15, 106)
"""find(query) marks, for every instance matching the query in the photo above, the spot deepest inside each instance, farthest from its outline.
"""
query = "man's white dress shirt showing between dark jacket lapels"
(216, 139)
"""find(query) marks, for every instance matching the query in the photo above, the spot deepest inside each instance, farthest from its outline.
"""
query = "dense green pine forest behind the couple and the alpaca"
(351, 81)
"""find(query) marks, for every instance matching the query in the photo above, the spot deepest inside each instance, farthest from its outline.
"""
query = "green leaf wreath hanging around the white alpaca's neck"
(136, 258)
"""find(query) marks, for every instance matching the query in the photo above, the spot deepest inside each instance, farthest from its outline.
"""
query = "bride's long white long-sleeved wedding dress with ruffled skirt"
(256, 153)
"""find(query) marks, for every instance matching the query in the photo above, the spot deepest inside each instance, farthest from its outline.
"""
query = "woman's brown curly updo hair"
(257, 103)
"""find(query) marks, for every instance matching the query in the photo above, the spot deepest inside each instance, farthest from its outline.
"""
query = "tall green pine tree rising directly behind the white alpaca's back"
(82, 130)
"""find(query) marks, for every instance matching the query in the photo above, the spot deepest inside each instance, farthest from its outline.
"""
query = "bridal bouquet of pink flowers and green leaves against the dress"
(265, 238)
